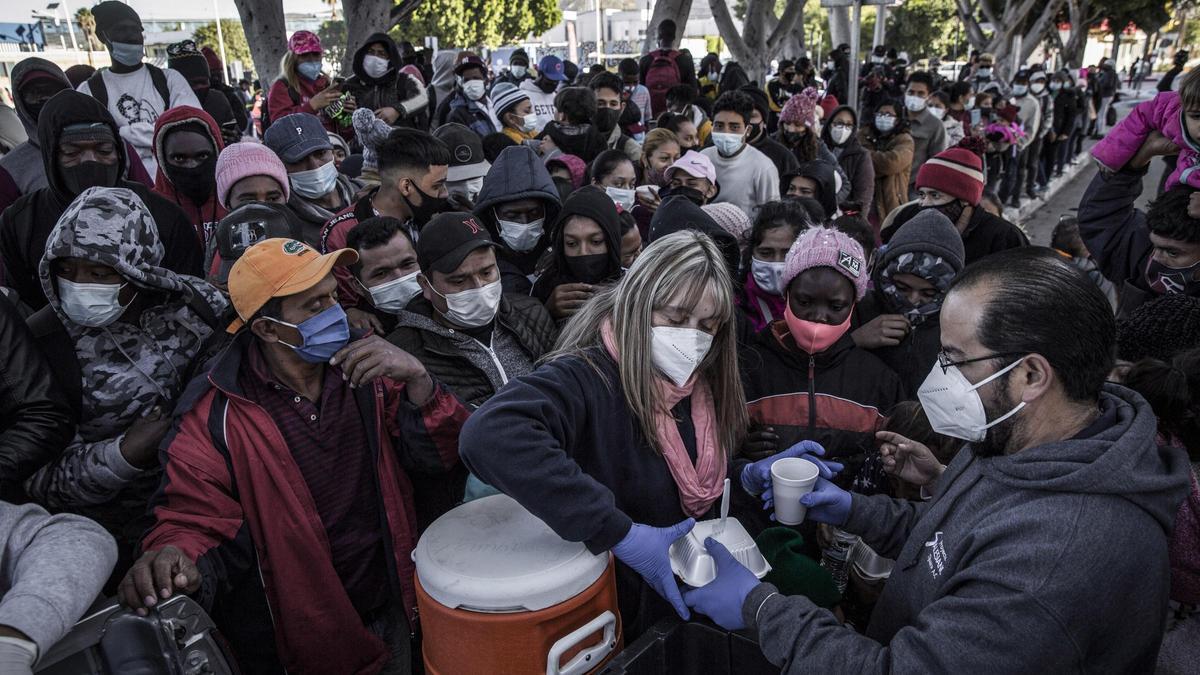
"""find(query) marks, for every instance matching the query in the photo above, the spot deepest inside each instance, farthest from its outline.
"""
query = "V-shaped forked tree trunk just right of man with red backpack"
(763, 37)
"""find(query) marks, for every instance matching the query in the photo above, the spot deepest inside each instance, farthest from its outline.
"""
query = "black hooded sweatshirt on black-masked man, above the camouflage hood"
(26, 228)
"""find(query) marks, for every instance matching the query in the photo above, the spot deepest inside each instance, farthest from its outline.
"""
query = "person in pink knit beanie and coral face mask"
(803, 377)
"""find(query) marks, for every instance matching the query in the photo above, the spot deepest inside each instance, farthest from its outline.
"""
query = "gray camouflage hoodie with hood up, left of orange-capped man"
(127, 368)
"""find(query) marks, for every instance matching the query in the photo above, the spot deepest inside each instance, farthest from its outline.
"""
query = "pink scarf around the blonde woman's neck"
(699, 485)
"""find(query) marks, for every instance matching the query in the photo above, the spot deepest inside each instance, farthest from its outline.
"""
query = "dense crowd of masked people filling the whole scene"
(257, 345)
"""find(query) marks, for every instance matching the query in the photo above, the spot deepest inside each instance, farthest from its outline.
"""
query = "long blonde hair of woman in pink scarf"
(689, 262)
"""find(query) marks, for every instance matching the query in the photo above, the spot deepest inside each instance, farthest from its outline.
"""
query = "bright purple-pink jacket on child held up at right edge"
(1163, 114)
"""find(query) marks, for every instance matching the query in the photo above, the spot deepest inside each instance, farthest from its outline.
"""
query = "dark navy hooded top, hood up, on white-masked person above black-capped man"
(518, 175)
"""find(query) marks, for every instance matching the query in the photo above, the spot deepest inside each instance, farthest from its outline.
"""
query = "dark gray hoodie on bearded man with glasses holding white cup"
(1051, 560)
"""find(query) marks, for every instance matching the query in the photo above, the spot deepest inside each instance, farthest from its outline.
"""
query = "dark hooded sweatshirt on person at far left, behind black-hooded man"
(22, 171)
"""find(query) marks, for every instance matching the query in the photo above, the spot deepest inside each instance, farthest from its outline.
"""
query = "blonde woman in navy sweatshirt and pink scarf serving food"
(625, 435)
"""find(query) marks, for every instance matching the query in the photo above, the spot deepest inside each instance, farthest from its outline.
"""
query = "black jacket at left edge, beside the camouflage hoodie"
(34, 413)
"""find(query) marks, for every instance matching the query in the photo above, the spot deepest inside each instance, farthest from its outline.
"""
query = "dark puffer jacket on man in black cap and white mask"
(523, 316)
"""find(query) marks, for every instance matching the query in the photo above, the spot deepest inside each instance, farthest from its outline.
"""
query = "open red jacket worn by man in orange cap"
(233, 499)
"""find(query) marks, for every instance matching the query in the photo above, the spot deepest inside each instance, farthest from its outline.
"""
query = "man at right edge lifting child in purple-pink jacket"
(1147, 254)
